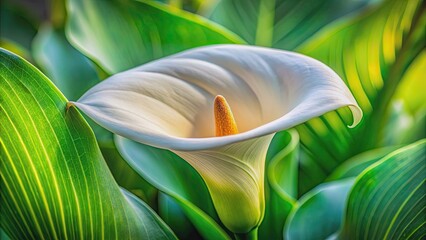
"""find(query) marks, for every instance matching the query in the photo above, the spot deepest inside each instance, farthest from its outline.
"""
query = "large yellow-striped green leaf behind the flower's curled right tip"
(372, 62)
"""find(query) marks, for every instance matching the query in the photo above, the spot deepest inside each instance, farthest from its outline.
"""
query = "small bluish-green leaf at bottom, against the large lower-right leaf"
(319, 213)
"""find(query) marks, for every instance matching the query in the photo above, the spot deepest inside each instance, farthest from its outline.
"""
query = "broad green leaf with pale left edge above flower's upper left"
(123, 34)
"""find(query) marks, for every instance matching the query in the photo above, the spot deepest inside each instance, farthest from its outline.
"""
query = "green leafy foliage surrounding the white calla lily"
(361, 183)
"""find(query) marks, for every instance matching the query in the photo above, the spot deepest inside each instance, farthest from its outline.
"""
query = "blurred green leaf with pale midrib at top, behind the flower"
(283, 24)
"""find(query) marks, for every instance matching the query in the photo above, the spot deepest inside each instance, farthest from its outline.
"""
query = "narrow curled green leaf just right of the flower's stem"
(281, 183)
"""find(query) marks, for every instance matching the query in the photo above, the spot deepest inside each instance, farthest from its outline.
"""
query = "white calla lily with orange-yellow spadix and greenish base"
(170, 103)
